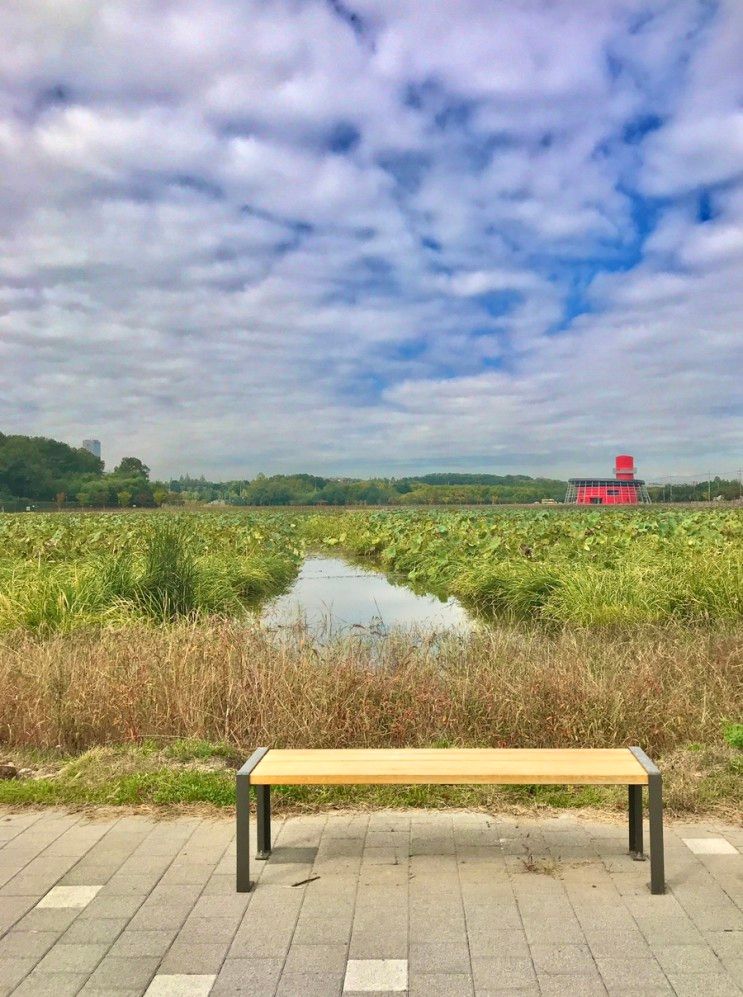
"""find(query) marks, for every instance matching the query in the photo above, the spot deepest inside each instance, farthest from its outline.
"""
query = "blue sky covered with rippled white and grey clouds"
(357, 236)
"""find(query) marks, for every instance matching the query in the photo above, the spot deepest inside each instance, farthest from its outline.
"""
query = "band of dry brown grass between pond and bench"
(659, 687)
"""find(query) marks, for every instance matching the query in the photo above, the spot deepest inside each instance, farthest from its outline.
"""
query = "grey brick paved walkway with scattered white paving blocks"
(423, 903)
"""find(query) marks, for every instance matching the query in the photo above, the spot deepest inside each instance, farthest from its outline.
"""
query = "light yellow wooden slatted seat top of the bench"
(548, 766)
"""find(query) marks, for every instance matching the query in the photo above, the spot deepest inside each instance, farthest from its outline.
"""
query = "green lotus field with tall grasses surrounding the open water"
(62, 572)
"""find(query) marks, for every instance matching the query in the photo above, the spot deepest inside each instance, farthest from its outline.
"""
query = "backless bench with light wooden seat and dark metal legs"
(450, 766)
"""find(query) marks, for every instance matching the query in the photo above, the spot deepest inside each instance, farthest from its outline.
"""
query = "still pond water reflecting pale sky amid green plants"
(331, 597)
